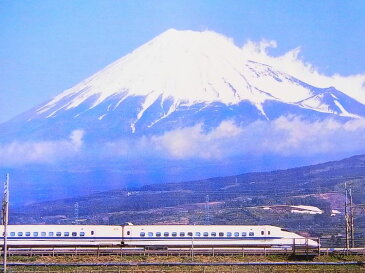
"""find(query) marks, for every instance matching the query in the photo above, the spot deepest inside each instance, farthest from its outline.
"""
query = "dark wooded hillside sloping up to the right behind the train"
(251, 198)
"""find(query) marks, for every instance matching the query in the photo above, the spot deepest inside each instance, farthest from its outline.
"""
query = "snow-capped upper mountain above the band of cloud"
(176, 80)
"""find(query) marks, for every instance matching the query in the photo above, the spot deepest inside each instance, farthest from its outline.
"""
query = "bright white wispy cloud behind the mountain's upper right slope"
(291, 63)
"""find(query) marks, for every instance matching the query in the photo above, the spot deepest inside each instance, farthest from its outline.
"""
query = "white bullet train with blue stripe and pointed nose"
(153, 236)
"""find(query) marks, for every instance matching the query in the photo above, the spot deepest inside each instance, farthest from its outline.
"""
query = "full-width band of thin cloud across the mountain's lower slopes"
(287, 136)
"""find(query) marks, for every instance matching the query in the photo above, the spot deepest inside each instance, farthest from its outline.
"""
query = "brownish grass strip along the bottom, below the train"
(195, 269)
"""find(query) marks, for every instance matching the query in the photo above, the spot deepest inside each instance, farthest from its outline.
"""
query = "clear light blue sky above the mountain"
(48, 46)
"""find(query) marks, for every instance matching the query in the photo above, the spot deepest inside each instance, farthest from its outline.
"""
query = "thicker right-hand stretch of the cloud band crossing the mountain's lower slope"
(285, 136)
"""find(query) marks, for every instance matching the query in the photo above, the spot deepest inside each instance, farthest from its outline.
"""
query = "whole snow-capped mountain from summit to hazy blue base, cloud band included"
(185, 105)
